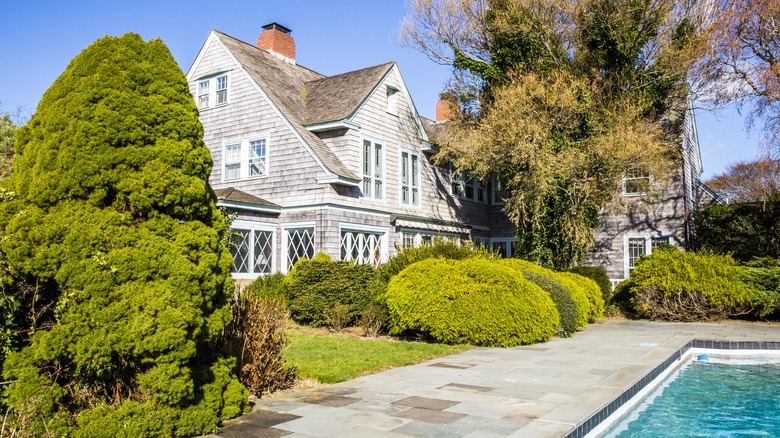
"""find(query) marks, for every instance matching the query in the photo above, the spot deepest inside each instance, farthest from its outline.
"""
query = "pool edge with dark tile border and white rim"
(592, 424)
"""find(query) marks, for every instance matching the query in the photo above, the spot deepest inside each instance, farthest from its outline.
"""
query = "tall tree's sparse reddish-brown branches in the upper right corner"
(743, 62)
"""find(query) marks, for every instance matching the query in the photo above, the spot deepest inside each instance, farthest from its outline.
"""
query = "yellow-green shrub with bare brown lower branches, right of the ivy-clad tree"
(675, 286)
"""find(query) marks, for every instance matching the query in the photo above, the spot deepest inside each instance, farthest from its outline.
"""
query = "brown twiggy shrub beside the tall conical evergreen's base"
(256, 337)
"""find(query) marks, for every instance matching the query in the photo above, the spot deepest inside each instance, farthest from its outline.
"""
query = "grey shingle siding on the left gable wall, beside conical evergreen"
(292, 170)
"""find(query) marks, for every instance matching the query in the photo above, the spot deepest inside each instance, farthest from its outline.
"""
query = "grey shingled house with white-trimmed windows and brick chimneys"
(345, 165)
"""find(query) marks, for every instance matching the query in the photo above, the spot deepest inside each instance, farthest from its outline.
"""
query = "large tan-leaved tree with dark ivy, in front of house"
(561, 99)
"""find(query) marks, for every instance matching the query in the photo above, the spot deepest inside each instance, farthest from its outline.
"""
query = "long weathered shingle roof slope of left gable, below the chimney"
(283, 83)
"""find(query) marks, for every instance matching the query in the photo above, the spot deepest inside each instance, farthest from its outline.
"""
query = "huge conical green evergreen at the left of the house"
(112, 242)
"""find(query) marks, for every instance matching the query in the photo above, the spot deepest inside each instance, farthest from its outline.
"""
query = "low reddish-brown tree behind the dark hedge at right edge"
(748, 181)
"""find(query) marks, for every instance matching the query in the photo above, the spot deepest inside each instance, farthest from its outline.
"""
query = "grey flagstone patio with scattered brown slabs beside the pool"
(544, 390)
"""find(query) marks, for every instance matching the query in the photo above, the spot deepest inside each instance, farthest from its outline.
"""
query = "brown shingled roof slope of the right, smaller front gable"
(338, 97)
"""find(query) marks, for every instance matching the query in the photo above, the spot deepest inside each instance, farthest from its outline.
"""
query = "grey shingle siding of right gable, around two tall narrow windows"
(398, 132)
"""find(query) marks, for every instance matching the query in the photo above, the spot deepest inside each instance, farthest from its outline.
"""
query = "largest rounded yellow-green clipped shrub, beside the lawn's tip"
(469, 301)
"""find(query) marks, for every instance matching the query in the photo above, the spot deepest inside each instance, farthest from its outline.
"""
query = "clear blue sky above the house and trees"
(40, 38)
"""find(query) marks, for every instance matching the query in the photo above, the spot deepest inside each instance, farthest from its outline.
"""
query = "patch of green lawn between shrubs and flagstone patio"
(331, 359)
